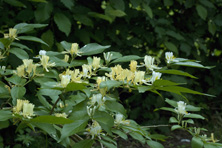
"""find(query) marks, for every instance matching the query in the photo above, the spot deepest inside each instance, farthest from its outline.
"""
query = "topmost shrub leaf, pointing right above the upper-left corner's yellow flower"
(24, 27)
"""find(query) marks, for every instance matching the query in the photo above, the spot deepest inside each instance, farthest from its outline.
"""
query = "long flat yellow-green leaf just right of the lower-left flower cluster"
(51, 120)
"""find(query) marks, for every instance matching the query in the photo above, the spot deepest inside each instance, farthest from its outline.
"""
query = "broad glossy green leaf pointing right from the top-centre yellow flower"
(93, 48)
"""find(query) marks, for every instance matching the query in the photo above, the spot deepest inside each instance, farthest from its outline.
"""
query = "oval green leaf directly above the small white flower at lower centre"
(115, 107)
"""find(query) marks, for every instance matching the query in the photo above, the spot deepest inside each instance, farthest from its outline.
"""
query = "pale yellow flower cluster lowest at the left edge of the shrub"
(24, 108)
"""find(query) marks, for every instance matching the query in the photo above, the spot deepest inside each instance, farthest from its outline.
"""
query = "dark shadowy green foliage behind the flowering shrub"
(189, 28)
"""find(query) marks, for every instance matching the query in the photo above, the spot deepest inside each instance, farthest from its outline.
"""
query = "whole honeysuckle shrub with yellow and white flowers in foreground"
(73, 96)
